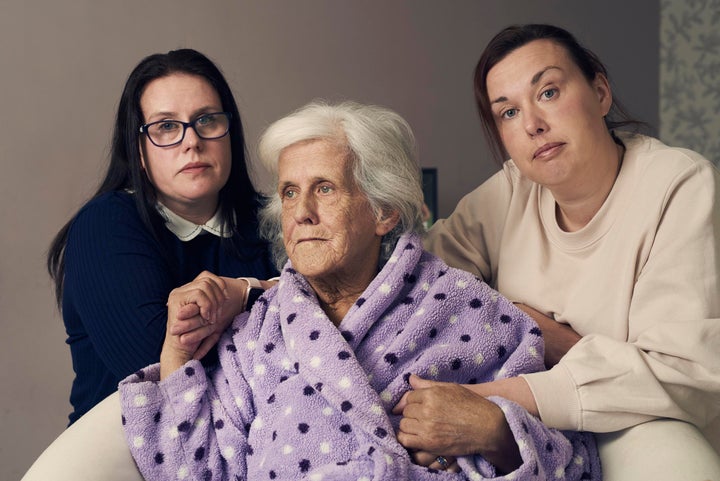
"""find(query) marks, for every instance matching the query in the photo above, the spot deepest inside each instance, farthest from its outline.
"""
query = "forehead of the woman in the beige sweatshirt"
(522, 65)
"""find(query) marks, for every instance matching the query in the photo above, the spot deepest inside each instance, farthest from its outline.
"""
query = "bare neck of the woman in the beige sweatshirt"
(576, 209)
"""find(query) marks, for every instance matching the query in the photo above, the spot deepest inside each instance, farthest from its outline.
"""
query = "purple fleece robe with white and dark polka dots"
(295, 397)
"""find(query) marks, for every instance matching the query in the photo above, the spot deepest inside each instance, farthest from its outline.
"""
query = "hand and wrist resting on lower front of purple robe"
(448, 419)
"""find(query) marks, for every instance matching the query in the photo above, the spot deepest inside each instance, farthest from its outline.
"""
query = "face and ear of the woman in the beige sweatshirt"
(549, 116)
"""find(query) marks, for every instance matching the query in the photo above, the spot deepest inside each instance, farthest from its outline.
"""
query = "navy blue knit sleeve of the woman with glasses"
(117, 283)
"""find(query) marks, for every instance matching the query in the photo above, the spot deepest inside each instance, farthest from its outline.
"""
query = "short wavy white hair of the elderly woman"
(381, 147)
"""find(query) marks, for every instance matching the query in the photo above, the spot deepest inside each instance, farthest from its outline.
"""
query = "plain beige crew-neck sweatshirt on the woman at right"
(640, 282)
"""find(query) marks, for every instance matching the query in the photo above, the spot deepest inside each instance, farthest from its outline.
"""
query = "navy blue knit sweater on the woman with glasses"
(117, 282)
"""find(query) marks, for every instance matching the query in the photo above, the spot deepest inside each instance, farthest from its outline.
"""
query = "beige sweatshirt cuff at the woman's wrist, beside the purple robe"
(557, 397)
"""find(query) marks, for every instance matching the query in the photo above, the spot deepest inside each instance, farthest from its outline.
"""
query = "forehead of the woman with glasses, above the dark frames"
(176, 92)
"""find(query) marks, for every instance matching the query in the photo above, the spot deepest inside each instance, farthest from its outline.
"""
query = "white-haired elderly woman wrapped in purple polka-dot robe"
(306, 383)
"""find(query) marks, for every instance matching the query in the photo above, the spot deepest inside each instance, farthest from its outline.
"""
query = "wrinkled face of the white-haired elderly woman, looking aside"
(329, 230)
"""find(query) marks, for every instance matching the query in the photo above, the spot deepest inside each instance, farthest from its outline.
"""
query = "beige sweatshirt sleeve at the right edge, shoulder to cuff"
(669, 365)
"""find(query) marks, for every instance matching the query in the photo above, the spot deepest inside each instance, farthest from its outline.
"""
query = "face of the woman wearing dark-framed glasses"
(187, 176)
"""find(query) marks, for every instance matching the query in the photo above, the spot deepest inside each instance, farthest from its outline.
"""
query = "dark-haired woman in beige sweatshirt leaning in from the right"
(611, 241)
